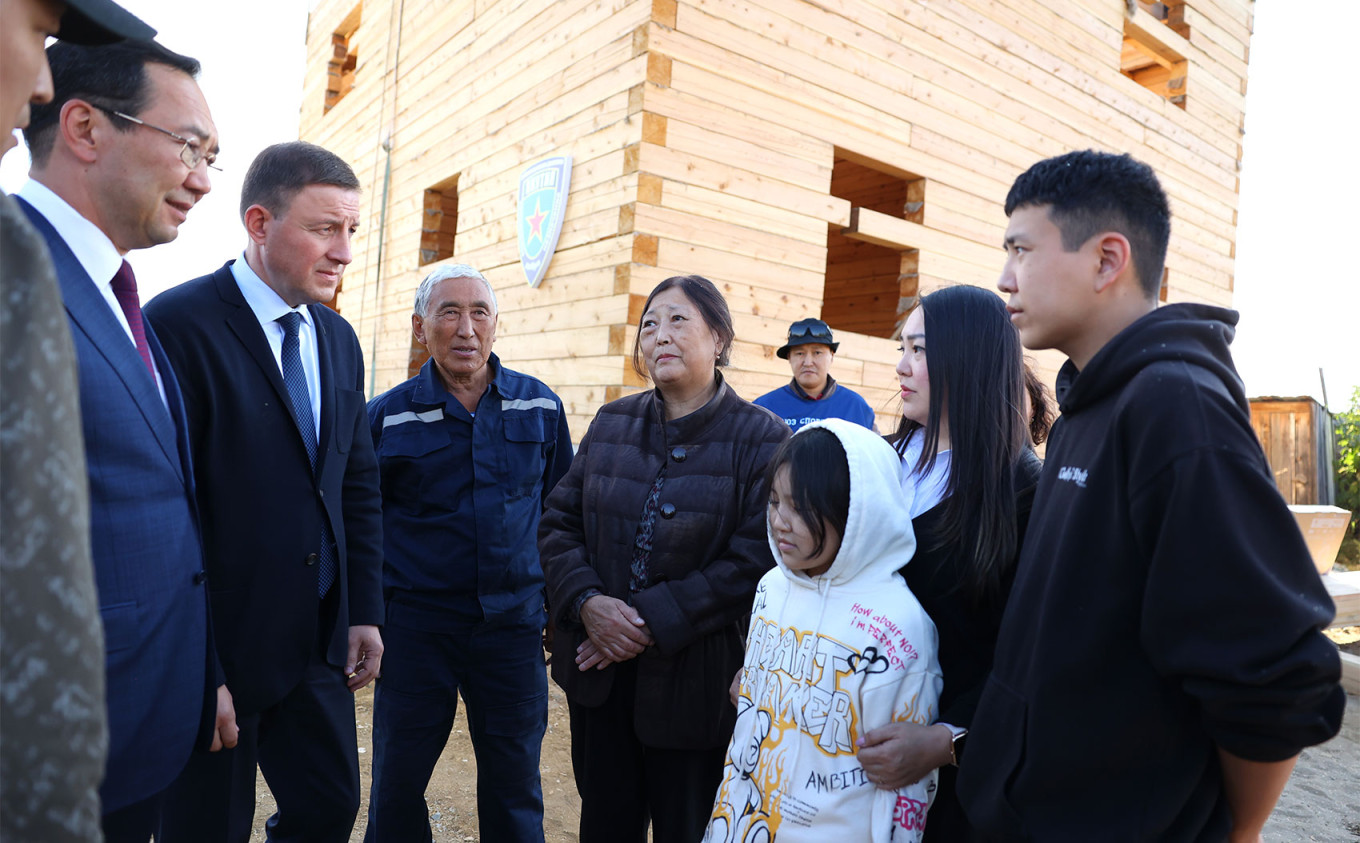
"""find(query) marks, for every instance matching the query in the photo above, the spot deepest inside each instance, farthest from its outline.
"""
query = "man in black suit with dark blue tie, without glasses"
(290, 505)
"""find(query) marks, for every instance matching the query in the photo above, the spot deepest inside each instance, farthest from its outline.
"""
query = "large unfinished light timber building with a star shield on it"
(828, 158)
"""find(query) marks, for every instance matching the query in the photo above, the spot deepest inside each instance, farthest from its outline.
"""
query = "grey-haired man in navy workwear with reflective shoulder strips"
(469, 451)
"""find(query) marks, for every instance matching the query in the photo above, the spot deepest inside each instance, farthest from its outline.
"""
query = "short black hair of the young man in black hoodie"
(1090, 192)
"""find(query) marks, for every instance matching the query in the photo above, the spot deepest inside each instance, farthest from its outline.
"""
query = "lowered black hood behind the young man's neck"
(1191, 334)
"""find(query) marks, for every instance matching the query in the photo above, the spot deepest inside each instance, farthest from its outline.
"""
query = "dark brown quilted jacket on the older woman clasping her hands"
(708, 554)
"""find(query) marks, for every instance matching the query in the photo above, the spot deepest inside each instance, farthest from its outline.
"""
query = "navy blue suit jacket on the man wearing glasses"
(145, 535)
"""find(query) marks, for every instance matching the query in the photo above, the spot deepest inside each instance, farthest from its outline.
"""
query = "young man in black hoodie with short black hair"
(1161, 663)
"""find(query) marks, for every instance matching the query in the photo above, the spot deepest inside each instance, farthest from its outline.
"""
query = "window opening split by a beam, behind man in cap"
(870, 288)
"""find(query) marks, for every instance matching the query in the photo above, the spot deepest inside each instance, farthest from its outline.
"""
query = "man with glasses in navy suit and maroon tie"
(104, 183)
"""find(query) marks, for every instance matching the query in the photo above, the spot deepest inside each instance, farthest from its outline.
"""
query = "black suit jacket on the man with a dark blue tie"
(260, 502)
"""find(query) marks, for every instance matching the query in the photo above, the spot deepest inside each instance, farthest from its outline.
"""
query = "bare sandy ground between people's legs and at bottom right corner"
(1323, 802)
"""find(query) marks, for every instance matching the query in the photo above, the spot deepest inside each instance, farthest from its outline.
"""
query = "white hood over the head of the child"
(879, 531)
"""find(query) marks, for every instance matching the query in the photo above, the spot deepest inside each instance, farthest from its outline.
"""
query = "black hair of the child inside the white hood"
(819, 481)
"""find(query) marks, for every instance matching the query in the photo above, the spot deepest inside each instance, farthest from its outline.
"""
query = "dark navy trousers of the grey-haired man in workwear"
(501, 676)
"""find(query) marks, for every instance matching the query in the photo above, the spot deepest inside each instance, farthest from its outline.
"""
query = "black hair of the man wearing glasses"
(112, 75)
